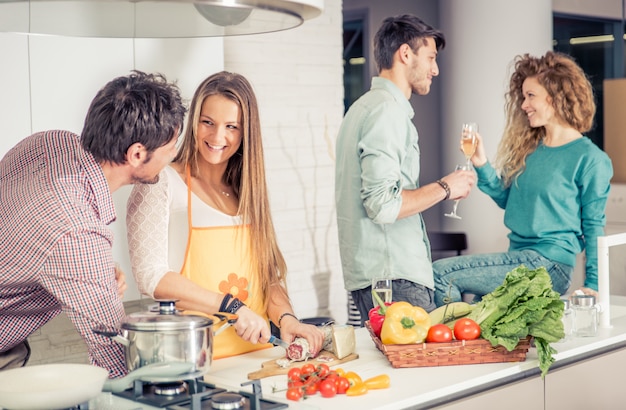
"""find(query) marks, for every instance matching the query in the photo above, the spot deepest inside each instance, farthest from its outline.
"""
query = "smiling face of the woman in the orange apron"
(219, 130)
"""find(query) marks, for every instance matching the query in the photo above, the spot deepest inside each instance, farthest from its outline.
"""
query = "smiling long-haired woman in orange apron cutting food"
(203, 234)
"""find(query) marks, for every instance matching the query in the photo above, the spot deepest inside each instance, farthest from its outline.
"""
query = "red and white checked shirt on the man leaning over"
(55, 256)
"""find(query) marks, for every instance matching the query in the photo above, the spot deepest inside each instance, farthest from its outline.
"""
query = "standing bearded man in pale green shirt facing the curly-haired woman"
(377, 191)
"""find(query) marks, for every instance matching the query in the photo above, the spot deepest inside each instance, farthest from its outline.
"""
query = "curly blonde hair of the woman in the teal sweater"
(570, 93)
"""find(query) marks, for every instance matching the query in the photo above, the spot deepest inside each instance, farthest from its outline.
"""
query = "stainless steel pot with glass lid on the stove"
(165, 336)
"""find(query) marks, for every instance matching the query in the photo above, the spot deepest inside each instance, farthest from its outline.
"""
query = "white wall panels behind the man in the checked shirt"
(66, 73)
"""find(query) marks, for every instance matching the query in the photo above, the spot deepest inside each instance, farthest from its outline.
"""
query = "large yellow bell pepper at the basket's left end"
(404, 324)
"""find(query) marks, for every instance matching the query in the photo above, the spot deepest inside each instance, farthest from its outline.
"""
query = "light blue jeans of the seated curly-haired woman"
(481, 274)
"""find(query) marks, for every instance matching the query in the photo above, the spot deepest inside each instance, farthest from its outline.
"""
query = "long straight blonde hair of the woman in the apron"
(245, 174)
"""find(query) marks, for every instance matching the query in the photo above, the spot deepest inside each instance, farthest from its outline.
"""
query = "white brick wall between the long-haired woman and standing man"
(298, 78)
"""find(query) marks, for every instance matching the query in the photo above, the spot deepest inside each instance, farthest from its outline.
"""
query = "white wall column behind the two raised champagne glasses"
(483, 38)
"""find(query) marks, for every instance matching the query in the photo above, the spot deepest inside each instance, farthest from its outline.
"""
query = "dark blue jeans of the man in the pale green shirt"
(402, 289)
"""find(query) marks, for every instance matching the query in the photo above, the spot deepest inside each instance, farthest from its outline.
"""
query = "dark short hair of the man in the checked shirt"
(139, 107)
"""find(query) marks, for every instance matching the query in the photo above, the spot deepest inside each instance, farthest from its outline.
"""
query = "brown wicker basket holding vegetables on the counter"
(451, 353)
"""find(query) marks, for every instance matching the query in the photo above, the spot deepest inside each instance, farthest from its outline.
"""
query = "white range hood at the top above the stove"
(155, 18)
